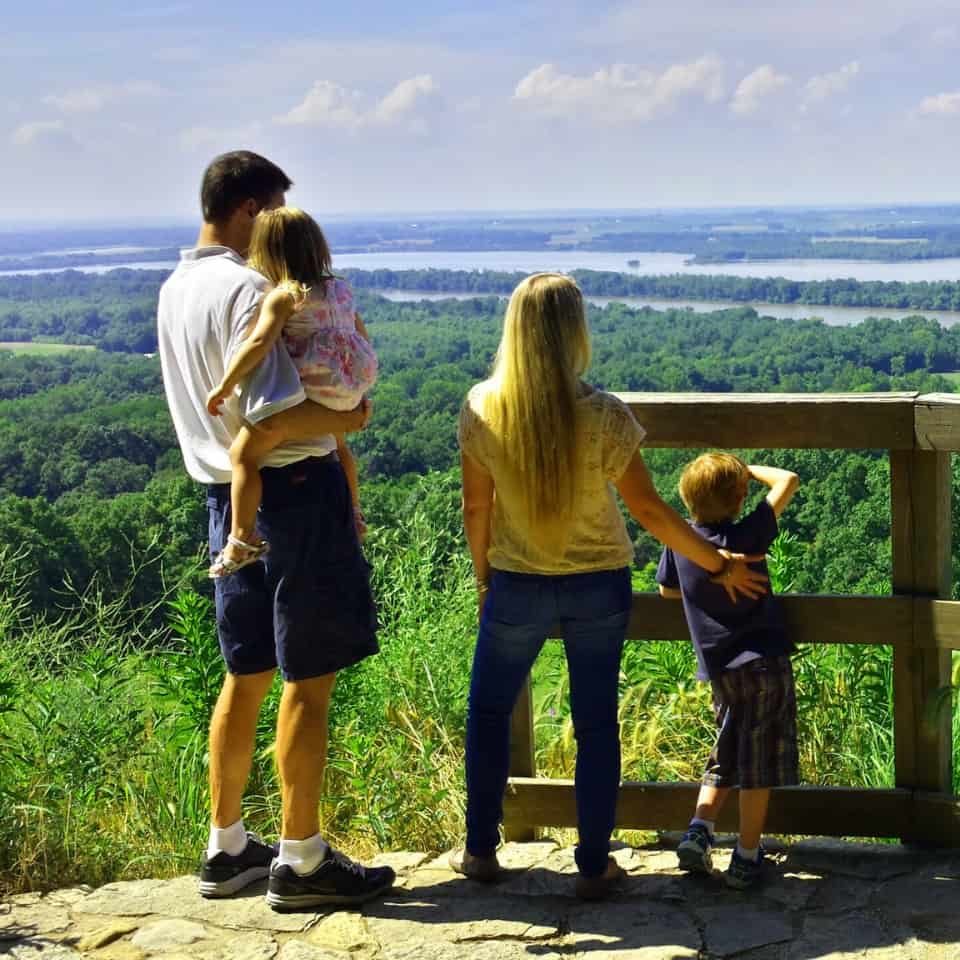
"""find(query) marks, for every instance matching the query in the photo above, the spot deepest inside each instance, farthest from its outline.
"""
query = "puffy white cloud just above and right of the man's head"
(328, 103)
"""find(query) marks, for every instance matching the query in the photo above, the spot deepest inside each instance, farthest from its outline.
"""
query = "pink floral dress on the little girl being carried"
(337, 365)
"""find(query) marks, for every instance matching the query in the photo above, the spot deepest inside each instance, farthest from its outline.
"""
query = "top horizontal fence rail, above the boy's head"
(854, 421)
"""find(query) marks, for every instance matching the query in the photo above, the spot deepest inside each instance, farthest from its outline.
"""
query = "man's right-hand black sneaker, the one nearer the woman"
(338, 880)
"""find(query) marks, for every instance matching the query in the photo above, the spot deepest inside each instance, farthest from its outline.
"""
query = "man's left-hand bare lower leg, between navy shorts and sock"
(233, 728)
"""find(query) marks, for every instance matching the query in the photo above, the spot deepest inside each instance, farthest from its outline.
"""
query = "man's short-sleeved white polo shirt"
(205, 307)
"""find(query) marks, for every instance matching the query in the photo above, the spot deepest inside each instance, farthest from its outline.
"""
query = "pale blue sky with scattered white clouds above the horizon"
(112, 109)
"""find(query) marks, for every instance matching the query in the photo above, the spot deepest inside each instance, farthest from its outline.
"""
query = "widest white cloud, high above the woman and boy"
(621, 91)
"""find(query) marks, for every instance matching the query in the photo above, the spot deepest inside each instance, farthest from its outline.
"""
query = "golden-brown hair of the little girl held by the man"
(289, 249)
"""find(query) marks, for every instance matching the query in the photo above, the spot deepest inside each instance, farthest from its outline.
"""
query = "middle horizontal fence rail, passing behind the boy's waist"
(810, 619)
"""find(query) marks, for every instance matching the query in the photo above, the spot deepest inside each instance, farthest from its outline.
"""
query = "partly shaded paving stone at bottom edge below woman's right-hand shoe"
(613, 931)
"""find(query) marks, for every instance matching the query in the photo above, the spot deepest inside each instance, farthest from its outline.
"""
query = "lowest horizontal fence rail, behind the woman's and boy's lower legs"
(821, 811)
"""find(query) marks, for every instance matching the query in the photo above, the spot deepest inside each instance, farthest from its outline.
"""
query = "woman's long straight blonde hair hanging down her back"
(531, 406)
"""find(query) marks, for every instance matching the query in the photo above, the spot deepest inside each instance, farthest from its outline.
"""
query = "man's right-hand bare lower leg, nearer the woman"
(302, 753)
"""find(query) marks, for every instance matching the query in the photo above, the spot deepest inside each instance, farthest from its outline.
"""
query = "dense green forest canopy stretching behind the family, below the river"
(91, 481)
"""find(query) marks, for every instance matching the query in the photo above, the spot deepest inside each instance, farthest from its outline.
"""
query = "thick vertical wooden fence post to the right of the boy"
(921, 541)
